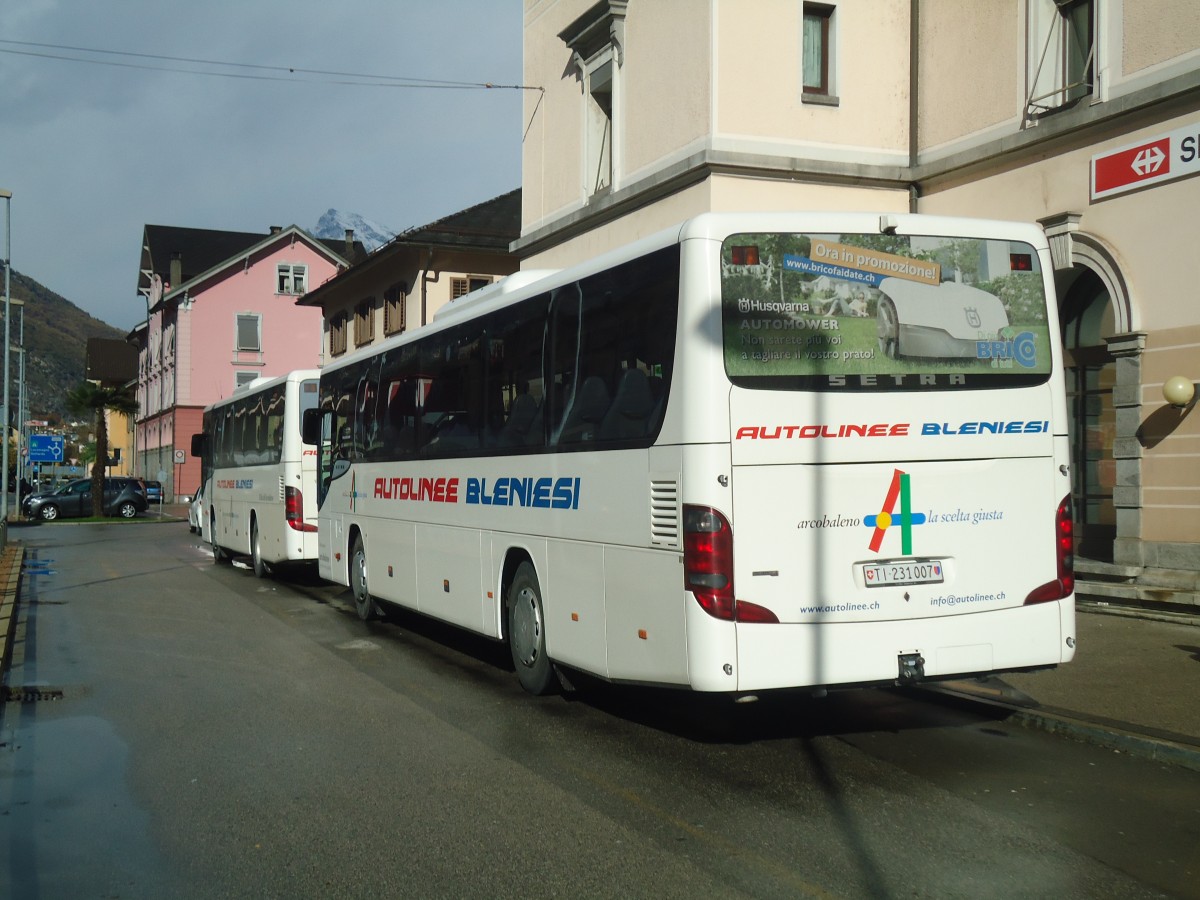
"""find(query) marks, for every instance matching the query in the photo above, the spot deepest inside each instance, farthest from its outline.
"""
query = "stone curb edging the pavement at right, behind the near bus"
(1160, 747)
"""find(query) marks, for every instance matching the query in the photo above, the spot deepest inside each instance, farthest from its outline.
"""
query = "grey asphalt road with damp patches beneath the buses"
(200, 733)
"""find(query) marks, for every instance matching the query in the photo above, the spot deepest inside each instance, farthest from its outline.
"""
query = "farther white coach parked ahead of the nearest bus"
(257, 473)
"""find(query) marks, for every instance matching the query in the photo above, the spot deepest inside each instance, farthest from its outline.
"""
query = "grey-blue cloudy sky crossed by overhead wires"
(94, 151)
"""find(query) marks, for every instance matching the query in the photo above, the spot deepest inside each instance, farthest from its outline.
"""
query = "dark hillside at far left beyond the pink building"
(57, 334)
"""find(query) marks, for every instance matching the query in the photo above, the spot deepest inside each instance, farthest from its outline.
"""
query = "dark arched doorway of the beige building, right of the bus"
(1088, 317)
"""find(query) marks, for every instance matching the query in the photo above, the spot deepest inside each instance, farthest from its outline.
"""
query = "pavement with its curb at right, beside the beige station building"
(1135, 686)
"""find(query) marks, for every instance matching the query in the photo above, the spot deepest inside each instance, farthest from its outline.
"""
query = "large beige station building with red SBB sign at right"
(1081, 115)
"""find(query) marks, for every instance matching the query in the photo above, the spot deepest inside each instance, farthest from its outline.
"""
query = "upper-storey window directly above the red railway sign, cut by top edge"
(1061, 55)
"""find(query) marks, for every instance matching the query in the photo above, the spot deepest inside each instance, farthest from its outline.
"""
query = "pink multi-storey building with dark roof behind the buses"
(221, 311)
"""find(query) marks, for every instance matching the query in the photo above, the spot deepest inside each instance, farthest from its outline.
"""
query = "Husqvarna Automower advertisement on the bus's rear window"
(883, 313)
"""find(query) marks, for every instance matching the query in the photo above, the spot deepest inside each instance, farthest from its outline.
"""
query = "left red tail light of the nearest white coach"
(709, 567)
